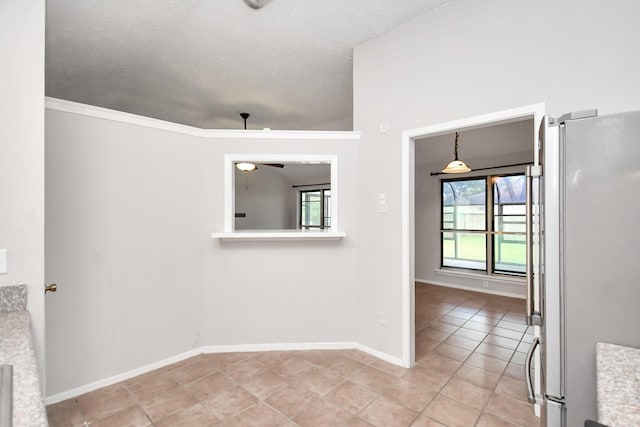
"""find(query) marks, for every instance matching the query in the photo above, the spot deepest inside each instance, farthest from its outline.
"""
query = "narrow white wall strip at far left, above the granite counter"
(22, 153)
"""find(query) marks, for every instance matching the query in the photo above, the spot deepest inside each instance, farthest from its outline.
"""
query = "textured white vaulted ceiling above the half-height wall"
(202, 62)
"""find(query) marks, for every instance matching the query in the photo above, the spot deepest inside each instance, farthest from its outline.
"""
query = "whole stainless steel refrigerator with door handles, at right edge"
(583, 258)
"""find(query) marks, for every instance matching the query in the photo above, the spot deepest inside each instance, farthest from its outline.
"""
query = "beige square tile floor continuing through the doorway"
(470, 351)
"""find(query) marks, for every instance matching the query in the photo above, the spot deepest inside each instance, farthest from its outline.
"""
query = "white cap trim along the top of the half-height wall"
(134, 119)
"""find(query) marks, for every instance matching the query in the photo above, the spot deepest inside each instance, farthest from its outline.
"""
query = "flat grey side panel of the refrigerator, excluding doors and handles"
(600, 234)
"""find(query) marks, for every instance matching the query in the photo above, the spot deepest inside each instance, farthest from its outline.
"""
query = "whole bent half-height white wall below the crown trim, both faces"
(129, 213)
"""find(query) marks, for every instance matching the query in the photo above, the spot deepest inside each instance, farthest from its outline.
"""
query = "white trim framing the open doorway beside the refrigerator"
(535, 111)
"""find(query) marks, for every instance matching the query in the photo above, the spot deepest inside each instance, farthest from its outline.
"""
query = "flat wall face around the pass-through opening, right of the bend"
(282, 292)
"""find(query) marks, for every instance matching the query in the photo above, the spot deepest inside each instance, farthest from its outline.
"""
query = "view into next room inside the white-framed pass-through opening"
(282, 195)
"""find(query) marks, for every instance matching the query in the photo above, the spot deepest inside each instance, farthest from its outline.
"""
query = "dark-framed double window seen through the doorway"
(483, 223)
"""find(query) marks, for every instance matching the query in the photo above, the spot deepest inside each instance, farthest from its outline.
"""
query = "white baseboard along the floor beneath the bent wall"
(240, 348)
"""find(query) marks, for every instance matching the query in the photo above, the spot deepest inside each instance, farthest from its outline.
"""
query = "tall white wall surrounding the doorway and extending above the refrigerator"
(461, 60)
